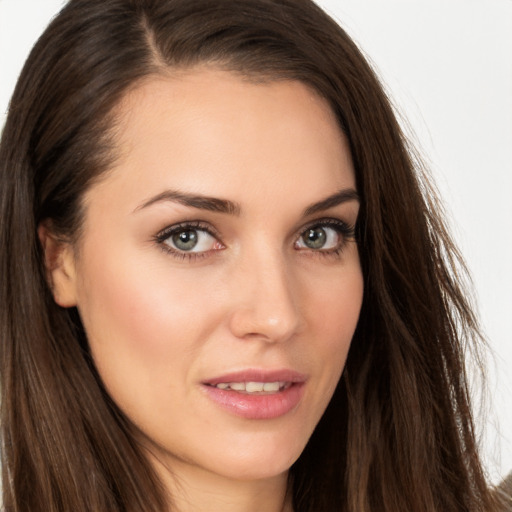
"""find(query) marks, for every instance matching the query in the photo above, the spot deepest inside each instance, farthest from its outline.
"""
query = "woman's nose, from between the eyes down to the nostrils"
(265, 299)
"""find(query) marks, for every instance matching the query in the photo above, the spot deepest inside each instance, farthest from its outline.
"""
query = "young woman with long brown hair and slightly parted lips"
(224, 284)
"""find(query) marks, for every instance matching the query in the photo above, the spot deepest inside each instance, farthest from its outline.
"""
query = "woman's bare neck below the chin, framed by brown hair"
(194, 489)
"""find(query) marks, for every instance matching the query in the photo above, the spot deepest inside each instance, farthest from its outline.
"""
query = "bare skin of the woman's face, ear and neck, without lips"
(255, 296)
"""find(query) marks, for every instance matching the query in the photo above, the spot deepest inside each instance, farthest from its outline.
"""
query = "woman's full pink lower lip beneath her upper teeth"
(257, 407)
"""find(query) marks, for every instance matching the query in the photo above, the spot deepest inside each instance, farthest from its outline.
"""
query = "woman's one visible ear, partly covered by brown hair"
(60, 266)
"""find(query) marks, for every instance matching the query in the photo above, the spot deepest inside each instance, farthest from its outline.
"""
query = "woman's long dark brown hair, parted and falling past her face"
(398, 433)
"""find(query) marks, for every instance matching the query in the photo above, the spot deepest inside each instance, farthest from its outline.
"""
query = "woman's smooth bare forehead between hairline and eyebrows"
(213, 132)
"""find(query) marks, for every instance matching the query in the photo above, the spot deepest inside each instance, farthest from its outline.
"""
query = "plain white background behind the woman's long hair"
(448, 66)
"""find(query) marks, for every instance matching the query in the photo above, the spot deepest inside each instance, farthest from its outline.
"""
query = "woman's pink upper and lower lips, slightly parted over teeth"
(255, 406)
